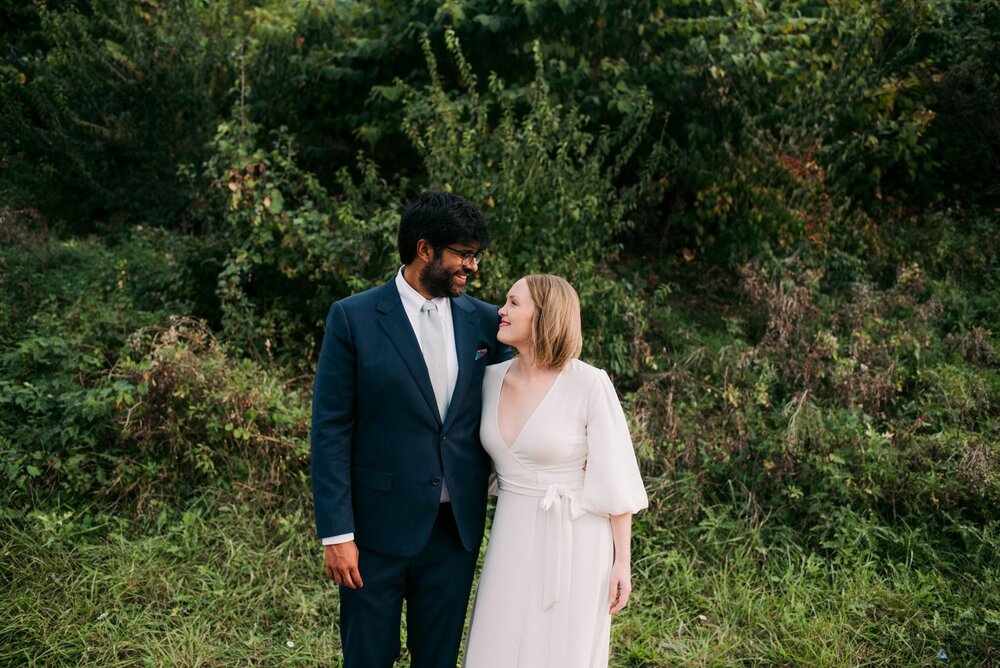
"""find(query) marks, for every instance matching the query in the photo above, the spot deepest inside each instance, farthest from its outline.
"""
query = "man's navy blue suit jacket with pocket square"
(379, 449)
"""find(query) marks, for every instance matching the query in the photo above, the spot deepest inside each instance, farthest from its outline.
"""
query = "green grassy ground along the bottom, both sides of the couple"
(233, 585)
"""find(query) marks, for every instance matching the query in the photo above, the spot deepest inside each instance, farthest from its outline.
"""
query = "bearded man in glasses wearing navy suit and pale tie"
(398, 473)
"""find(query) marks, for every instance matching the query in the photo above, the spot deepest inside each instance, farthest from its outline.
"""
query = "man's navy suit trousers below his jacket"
(436, 585)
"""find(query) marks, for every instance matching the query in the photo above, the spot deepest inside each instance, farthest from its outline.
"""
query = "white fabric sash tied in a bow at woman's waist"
(561, 506)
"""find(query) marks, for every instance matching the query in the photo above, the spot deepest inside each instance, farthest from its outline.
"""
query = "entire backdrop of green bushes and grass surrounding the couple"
(780, 217)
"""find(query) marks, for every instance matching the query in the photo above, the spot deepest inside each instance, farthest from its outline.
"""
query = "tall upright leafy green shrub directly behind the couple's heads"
(546, 186)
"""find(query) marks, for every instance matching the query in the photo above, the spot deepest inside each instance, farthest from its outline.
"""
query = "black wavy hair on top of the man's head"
(442, 218)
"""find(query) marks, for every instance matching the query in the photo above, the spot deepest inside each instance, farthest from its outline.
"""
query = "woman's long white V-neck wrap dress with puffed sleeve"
(542, 600)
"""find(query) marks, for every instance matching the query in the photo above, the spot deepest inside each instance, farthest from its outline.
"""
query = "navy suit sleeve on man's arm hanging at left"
(333, 416)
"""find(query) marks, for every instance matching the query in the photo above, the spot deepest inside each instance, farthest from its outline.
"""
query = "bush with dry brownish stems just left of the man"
(206, 420)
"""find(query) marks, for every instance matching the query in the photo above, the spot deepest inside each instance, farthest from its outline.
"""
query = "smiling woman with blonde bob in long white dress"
(558, 560)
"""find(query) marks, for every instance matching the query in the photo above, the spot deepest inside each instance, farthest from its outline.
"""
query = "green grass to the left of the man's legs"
(217, 585)
